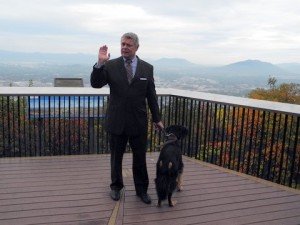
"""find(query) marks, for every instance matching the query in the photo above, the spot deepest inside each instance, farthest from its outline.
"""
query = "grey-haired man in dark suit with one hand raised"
(131, 83)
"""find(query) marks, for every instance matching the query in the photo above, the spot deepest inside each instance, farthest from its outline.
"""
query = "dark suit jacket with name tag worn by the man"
(127, 110)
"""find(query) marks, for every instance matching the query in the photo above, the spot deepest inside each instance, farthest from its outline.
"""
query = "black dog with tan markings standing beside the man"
(169, 165)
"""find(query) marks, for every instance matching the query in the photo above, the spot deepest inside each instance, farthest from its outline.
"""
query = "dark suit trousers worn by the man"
(138, 146)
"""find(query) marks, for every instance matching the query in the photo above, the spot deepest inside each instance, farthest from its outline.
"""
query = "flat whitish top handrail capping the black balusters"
(215, 98)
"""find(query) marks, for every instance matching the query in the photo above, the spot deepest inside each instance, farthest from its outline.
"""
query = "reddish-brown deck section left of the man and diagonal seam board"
(55, 190)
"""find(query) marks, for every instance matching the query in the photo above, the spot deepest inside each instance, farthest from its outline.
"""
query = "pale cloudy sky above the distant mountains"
(214, 32)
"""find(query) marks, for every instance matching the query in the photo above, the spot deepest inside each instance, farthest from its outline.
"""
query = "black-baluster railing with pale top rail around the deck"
(255, 137)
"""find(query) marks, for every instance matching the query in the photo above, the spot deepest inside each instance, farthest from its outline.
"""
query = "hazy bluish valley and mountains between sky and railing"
(237, 79)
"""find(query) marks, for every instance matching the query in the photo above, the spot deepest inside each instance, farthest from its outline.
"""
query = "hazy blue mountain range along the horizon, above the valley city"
(182, 66)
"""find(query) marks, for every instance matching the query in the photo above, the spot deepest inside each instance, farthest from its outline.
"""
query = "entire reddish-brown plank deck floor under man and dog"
(74, 190)
